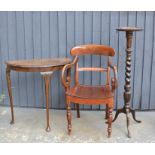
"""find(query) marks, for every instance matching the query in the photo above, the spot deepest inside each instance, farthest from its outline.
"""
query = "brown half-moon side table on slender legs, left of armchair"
(44, 66)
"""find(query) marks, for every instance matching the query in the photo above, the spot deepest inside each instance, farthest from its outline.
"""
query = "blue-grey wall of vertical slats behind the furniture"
(28, 35)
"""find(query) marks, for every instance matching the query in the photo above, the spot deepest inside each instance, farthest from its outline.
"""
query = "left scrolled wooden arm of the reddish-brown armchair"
(66, 79)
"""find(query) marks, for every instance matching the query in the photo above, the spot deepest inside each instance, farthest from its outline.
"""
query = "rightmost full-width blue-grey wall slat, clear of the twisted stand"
(147, 60)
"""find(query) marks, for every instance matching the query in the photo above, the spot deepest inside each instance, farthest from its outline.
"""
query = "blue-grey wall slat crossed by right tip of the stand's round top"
(139, 41)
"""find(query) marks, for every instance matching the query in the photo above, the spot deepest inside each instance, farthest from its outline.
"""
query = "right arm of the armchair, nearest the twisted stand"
(114, 80)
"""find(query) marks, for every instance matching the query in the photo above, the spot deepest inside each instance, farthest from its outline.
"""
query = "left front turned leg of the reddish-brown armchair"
(69, 117)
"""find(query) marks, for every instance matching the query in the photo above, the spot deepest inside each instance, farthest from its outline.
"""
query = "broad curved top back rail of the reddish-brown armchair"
(92, 49)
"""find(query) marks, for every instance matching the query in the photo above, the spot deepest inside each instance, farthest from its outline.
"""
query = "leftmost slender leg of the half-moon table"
(8, 79)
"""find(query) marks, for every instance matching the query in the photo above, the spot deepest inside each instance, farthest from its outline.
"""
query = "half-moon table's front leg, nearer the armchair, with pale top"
(46, 77)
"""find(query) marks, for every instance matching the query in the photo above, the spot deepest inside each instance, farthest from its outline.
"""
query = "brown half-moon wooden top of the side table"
(37, 65)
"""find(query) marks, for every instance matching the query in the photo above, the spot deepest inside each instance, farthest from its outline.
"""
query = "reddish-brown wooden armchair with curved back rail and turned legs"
(83, 94)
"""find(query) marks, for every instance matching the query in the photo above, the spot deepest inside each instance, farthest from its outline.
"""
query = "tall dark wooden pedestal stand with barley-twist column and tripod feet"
(127, 87)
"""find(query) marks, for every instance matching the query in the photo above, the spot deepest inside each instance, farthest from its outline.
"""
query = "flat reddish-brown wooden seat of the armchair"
(91, 92)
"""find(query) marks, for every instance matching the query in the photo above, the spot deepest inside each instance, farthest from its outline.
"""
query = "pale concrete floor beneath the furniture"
(30, 127)
